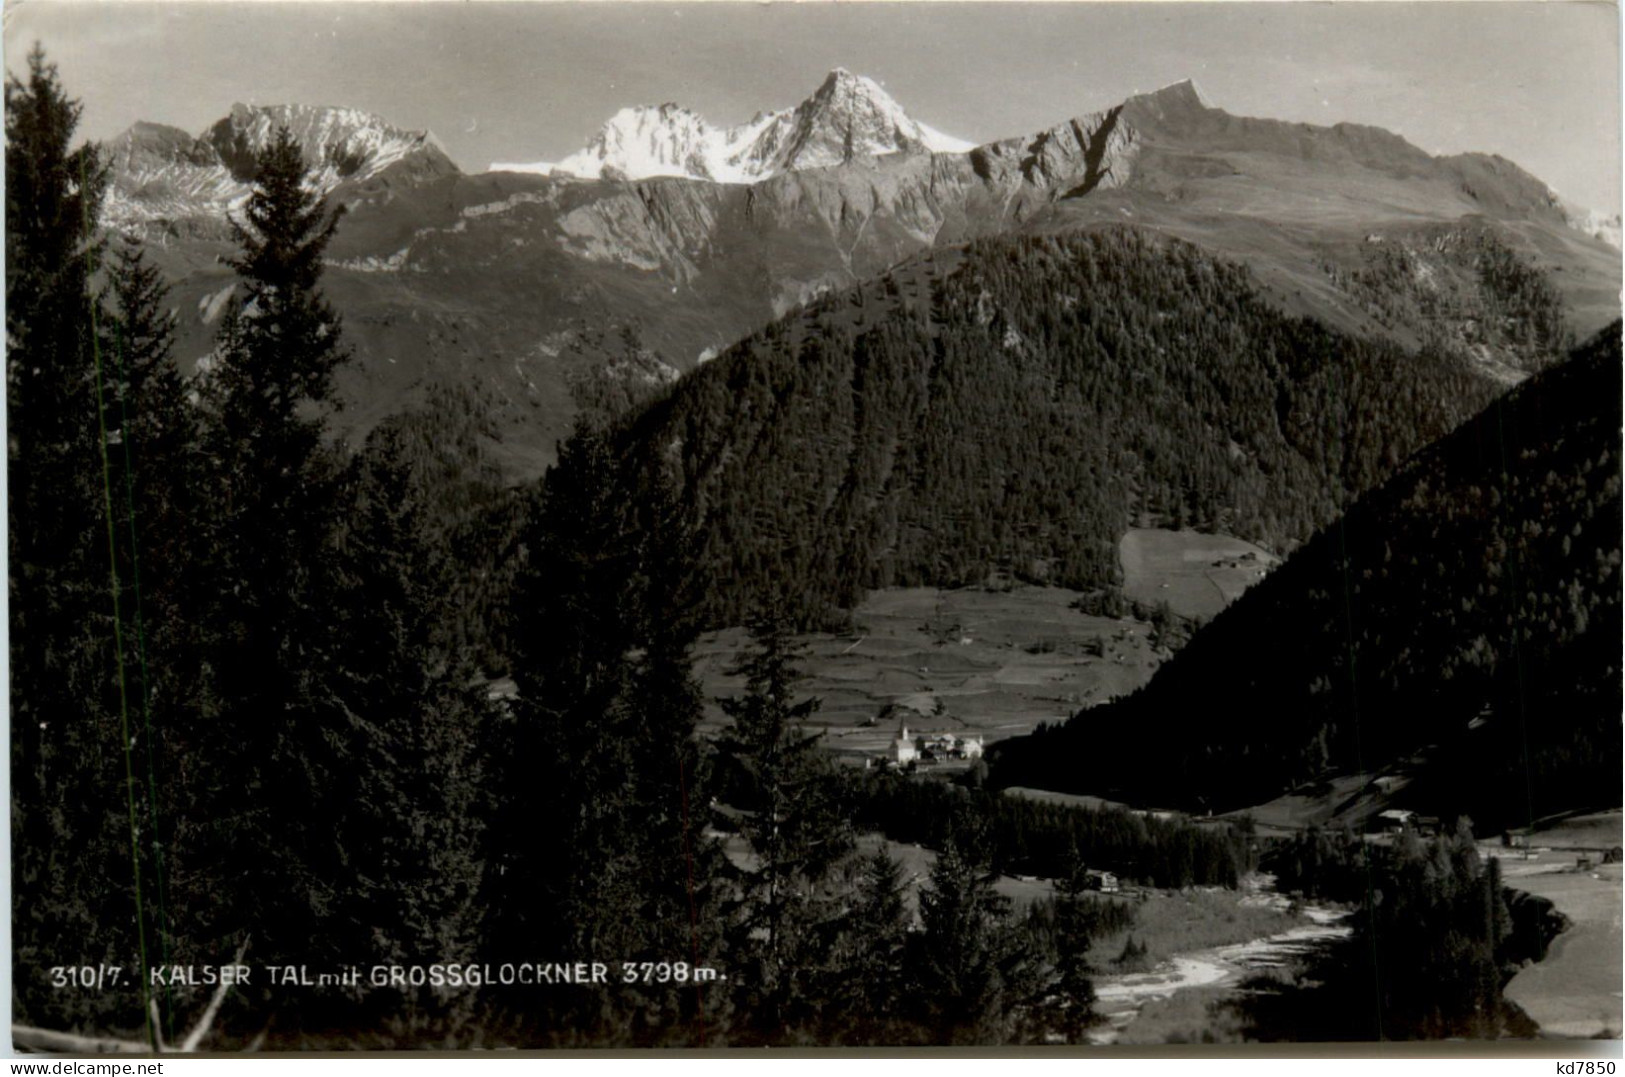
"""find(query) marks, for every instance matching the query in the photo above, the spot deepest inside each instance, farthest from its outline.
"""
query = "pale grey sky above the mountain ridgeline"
(1538, 84)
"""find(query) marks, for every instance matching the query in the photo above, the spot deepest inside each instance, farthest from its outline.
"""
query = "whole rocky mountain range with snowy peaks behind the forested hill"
(527, 287)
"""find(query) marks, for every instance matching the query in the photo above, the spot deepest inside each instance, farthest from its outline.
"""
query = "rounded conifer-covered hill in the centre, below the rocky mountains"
(1010, 412)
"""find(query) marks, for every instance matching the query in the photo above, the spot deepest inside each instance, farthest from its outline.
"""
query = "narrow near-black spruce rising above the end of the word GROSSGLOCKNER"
(566, 743)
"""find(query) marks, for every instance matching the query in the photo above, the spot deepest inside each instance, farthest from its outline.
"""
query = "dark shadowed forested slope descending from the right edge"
(1473, 603)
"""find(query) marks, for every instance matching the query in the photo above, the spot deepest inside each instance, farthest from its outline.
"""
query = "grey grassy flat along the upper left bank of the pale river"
(1171, 923)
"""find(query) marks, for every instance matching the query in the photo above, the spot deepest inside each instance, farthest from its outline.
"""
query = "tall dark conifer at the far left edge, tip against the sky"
(76, 878)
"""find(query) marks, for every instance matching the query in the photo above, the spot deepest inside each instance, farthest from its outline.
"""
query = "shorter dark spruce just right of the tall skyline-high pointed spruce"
(417, 730)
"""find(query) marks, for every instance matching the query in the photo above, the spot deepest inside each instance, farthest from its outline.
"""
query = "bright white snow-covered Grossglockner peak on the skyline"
(849, 116)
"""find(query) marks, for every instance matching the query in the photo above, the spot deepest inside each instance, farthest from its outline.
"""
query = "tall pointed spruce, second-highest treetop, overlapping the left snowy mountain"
(274, 483)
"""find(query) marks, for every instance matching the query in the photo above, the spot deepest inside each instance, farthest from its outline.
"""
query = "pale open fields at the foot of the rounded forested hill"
(994, 662)
